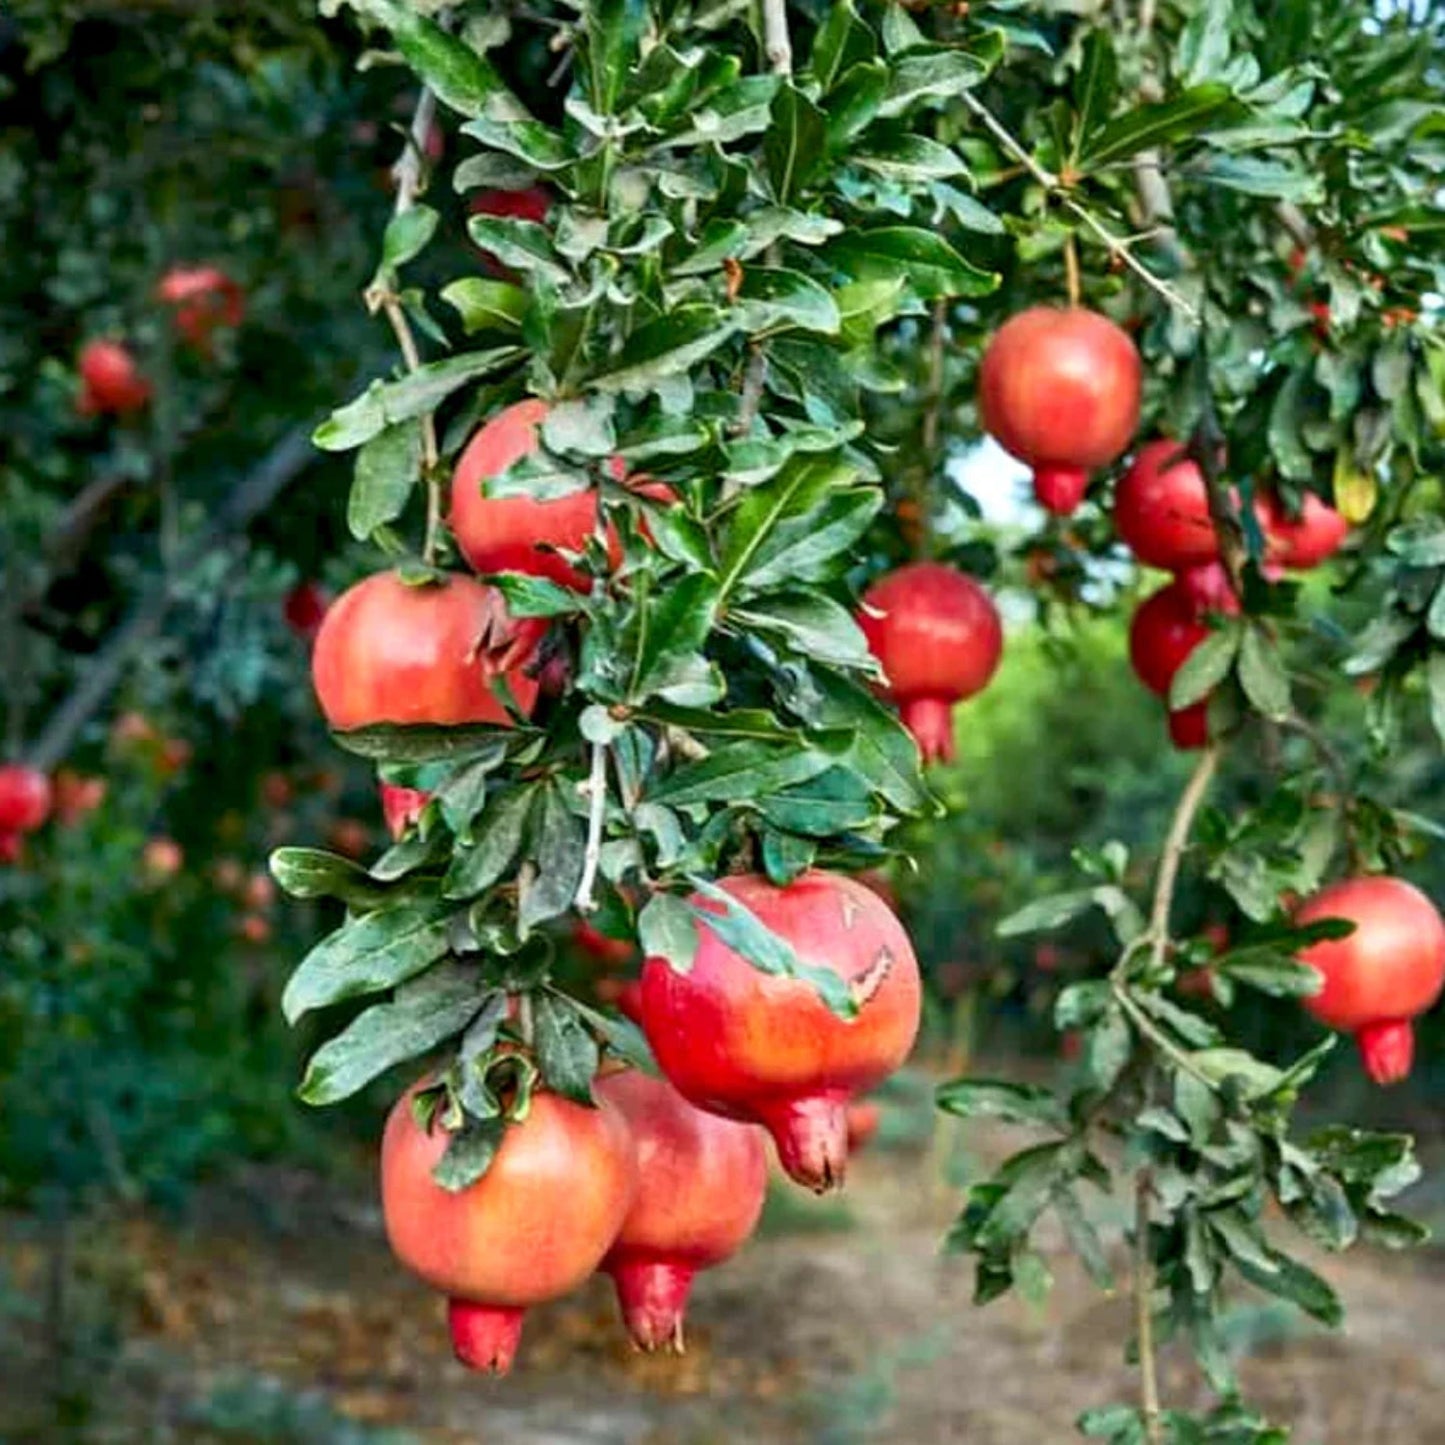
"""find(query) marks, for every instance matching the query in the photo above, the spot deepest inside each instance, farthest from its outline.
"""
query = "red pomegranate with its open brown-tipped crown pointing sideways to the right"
(395, 654)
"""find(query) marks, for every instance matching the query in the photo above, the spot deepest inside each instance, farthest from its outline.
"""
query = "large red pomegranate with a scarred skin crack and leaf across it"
(767, 1048)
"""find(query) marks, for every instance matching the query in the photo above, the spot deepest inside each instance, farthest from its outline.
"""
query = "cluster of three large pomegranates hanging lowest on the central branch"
(665, 1177)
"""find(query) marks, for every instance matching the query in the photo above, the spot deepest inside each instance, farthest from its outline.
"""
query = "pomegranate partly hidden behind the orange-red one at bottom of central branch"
(700, 1191)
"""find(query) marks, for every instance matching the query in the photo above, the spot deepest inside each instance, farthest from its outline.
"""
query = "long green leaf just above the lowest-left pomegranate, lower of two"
(426, 1014)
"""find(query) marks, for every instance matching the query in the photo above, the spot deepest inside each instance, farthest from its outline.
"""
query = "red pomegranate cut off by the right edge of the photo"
(1384, 975)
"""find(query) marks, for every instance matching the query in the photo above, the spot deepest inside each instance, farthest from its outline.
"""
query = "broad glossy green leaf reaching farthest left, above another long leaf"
(368, 954)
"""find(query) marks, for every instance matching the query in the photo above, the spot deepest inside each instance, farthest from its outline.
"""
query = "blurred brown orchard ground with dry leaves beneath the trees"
(274, 1311)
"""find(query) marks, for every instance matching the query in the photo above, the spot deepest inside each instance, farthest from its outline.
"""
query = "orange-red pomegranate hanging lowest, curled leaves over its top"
(532, 1229)
